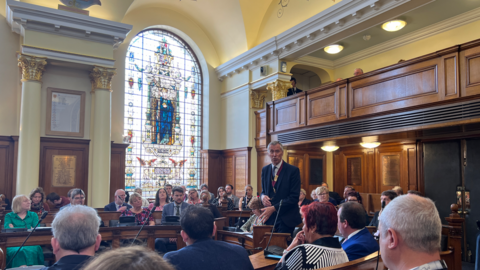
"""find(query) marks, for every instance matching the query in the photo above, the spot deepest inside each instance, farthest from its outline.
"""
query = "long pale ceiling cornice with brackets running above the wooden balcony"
(337, 22)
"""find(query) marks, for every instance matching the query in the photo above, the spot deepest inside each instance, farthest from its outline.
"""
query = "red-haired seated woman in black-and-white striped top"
(315, 247)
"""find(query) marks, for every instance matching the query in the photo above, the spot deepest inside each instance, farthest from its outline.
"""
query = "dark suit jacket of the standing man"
(287, 190)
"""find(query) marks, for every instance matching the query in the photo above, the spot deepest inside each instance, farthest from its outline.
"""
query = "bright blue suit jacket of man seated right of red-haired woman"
(360, 245)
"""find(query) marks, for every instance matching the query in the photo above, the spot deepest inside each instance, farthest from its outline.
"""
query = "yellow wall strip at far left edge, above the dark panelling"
(9, 77)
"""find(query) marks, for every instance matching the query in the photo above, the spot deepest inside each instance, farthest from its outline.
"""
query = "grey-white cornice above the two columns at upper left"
(23, 16)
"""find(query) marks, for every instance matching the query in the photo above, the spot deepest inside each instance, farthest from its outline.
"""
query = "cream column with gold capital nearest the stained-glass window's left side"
(101, 79)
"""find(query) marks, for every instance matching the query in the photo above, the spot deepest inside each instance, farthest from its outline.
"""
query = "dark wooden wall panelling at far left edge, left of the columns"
(7, 180)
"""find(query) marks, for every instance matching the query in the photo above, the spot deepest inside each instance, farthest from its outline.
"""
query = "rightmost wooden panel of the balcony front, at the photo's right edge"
(470, 68)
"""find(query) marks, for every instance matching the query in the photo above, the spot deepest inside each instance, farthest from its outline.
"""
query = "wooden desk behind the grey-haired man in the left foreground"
(114, 234)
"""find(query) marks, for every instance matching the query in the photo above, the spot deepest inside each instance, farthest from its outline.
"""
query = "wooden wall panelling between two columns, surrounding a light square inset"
(49, 147)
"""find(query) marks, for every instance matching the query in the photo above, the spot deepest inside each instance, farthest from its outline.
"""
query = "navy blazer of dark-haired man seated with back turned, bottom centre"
(199, 256)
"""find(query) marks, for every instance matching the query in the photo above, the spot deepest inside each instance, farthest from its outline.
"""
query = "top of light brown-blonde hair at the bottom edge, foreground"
(137, 257)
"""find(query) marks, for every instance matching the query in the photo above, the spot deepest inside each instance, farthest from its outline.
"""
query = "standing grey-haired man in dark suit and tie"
(280, 183)
